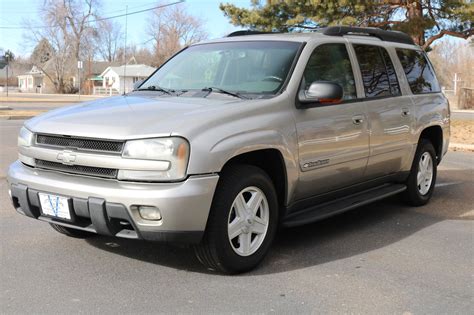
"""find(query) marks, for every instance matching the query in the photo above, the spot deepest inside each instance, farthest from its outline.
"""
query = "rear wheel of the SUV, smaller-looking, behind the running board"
(420, 190)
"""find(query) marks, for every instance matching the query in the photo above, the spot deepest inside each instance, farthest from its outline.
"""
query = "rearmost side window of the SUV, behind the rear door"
(420, 74)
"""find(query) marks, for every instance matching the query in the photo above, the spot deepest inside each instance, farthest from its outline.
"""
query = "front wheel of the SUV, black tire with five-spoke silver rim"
(250, 240)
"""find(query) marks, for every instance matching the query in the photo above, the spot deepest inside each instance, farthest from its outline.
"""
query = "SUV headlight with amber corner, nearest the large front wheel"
(174, 150)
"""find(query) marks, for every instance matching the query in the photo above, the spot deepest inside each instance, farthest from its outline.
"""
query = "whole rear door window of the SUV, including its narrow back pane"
(378, 74)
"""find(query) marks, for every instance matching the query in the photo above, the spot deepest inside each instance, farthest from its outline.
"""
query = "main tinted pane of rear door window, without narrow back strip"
(375, 76)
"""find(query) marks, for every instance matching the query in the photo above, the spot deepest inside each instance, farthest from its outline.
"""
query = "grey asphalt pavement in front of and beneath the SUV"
(382, 258)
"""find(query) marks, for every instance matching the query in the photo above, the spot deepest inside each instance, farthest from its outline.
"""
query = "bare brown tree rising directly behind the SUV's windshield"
(172, 28)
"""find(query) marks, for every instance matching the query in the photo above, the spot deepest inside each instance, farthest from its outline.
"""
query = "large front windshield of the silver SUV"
(247, 68)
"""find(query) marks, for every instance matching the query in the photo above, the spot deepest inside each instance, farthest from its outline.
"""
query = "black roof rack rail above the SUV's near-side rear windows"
(389, 36)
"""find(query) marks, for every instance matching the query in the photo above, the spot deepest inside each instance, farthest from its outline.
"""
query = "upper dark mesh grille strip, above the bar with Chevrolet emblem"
(80, 143)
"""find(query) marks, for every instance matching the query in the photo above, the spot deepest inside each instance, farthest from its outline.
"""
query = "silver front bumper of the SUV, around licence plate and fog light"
(105, 206)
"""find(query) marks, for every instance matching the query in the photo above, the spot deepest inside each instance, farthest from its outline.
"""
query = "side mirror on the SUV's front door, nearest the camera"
(321, 93)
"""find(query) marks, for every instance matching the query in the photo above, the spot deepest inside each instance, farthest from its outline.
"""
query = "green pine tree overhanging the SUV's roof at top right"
(425, 20)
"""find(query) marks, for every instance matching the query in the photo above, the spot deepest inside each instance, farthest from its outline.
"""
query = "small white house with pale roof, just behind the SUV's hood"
(122, 78)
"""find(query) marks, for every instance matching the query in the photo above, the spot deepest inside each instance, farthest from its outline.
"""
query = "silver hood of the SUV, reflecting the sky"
(128, 116)
